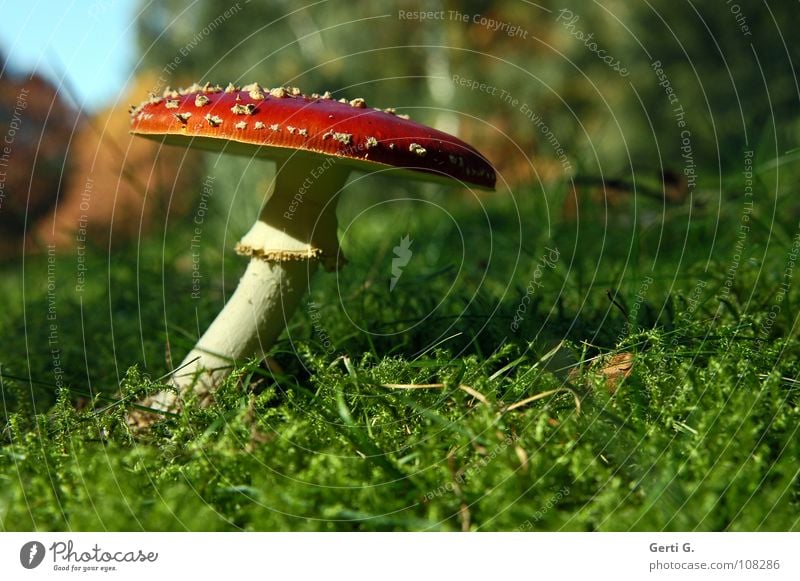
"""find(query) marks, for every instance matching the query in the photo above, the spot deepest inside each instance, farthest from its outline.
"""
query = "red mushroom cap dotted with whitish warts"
(275, 123)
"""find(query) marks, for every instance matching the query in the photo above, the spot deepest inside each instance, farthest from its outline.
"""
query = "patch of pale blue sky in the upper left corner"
(92, 41)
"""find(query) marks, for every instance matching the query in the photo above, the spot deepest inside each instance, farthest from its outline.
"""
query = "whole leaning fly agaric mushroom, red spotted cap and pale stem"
(316, 142)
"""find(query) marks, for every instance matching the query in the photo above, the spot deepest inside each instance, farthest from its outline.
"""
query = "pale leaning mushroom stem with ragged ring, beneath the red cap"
(295, 231)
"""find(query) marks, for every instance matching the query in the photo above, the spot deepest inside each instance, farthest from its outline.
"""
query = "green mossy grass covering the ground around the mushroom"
(701, 435)
